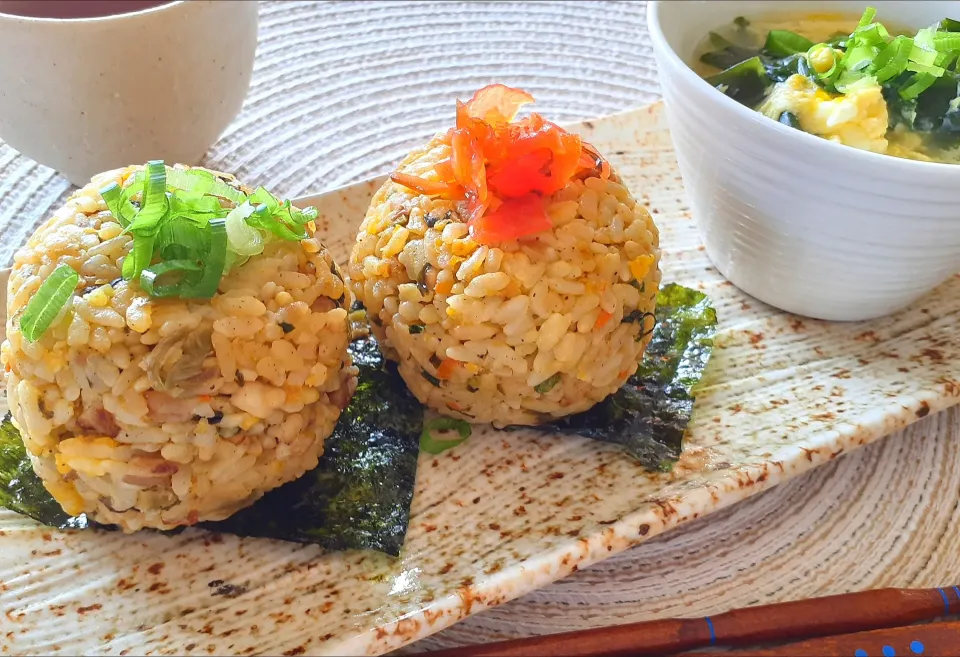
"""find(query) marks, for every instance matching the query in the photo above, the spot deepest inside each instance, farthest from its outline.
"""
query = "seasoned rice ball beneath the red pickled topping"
(517, 332)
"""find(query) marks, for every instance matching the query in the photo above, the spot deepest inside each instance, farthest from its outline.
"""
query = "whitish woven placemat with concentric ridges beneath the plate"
(342, 90)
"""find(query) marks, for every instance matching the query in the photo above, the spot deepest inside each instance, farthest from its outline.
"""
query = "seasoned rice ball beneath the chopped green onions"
(162, 412)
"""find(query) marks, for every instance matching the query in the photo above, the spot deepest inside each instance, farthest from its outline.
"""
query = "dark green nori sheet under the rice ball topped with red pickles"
(649, 415)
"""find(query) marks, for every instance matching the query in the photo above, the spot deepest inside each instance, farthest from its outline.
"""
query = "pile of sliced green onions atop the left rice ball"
(189, 228)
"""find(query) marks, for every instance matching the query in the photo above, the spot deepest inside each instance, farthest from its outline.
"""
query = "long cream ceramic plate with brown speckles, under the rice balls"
(503, 513)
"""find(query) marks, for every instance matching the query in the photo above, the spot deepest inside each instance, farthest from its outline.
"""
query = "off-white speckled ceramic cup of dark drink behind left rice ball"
(85, 95)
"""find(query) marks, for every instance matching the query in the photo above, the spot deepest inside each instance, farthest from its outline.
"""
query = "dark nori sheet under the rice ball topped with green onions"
(358, 497)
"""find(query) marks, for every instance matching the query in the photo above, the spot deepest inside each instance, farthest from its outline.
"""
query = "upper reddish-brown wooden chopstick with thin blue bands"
(801, 619)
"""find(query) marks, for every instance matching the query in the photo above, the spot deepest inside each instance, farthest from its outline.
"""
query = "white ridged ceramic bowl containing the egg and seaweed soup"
(804, 224)
